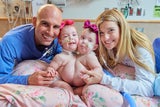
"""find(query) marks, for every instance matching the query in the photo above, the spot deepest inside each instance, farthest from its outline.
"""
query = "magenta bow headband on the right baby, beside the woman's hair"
(92, 27)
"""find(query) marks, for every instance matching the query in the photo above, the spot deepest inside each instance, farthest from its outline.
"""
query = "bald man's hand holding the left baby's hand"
(40, 78)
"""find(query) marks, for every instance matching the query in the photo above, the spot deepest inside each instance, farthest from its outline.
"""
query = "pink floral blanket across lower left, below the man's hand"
(12, 95)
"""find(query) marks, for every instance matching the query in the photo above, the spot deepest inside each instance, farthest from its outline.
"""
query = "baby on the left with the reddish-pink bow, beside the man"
(63, 64)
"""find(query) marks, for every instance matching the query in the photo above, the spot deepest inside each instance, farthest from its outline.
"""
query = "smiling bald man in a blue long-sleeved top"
(31, 42)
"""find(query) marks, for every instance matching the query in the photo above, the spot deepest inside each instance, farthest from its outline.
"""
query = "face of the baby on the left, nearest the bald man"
(69, 38)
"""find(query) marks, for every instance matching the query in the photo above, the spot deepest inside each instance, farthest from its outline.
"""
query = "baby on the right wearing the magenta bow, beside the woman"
(86, 58)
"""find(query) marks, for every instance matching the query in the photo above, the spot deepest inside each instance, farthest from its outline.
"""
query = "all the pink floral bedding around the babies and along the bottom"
(14, 95)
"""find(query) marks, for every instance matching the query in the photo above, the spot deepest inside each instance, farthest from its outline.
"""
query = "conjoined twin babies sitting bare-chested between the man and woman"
(70, 64)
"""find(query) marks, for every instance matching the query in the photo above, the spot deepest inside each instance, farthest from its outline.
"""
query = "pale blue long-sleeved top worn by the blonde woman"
(143, 82)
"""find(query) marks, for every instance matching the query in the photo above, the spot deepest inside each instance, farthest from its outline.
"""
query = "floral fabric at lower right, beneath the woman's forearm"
(100, 96)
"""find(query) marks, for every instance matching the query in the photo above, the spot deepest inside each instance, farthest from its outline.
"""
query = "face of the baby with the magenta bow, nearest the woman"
(87, 42)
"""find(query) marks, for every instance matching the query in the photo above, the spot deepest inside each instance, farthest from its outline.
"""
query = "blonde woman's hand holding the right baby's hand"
(91, 77)
